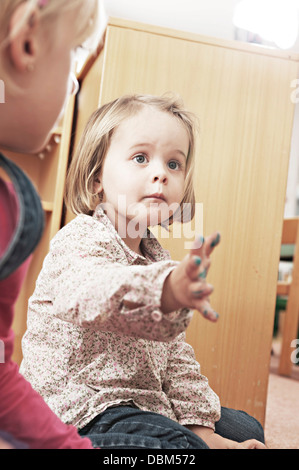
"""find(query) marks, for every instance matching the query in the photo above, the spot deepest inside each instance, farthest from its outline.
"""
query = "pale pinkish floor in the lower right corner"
(282, 410)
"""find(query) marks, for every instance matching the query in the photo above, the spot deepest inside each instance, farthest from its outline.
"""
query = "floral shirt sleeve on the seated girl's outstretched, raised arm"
(89, 288)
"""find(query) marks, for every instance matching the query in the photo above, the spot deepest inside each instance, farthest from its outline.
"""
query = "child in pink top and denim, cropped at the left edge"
(36, 46)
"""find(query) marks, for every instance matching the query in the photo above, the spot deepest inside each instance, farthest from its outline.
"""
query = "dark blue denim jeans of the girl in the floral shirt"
(127, 427)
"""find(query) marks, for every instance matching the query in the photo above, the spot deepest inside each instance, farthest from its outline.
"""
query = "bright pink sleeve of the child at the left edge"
(23, 413)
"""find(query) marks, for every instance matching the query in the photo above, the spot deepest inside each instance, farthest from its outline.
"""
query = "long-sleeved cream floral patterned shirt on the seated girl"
(84, 351)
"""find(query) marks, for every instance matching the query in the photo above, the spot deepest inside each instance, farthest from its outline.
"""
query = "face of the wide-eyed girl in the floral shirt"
(144, 169)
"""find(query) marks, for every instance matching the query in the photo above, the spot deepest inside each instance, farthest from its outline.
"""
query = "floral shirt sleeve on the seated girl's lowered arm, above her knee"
(192, 399)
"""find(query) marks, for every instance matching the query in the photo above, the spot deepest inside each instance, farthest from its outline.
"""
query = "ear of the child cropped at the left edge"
(24, 42)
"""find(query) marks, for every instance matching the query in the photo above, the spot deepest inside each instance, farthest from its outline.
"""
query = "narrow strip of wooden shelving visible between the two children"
(47, 171)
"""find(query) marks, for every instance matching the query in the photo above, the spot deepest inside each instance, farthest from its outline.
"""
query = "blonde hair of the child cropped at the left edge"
(84, 27)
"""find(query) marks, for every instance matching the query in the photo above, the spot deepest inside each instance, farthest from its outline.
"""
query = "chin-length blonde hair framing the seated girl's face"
(88, 160)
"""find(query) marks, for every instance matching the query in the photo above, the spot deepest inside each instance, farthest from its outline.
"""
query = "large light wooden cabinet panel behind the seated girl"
(241, 95)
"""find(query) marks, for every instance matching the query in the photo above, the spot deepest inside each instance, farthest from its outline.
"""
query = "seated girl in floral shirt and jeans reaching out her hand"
(108, 289)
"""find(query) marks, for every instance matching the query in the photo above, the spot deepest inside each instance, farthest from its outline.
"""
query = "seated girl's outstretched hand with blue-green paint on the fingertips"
(186, 286)
